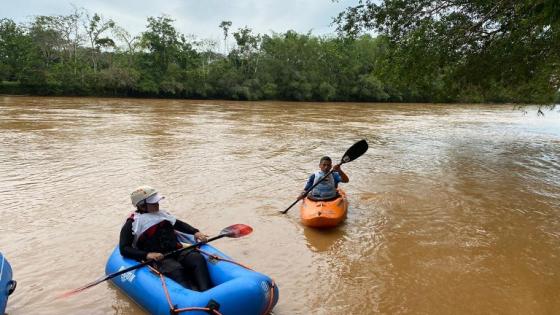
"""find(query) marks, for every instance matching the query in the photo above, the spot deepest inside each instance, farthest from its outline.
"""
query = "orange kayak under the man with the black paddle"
(324, 214)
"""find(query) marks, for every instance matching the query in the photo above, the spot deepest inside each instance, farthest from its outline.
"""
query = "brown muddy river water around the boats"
(455, 209)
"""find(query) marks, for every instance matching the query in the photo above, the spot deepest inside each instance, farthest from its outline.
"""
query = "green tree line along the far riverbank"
(87, 54)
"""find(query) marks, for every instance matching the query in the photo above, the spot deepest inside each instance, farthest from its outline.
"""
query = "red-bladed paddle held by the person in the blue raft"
(233, 231)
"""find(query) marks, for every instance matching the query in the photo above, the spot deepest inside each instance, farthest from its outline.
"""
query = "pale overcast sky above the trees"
(198, 17)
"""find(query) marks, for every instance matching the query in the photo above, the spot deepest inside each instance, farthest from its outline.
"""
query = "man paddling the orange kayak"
(326, 189)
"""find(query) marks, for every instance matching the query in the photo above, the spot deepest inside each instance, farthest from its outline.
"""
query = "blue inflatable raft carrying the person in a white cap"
(237, 289)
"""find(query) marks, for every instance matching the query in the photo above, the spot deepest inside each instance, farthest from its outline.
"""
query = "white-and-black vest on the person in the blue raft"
(153, 231)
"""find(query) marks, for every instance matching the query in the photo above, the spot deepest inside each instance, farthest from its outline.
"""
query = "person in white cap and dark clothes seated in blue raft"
(150, 232)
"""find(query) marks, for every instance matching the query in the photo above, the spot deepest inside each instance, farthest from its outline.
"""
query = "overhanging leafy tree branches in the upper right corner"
(466, 49)
